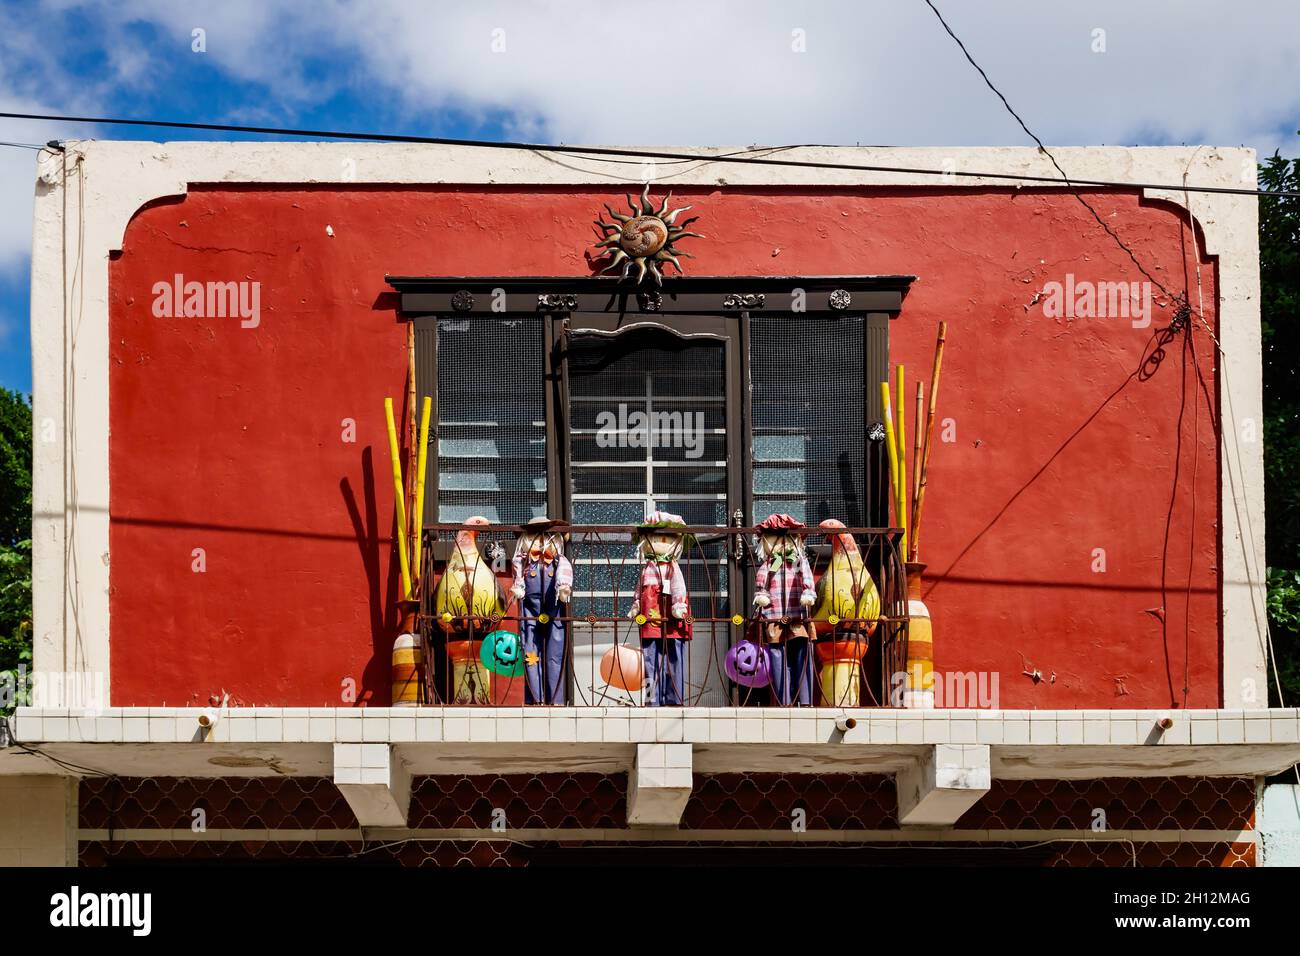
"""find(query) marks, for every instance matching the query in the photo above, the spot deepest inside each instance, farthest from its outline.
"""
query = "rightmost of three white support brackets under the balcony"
(946, 782)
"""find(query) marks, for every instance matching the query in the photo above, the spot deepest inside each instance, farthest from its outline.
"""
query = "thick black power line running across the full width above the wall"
(638, 154)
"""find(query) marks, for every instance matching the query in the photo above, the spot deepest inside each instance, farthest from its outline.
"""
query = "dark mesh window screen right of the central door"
(809, 408)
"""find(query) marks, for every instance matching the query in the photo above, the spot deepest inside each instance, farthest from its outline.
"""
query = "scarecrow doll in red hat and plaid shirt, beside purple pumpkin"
(783, 595)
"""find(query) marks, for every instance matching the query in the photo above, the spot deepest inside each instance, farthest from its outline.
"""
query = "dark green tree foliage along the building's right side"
(1280, 314)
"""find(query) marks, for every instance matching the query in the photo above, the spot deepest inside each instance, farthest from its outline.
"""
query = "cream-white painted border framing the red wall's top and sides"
(88, 196)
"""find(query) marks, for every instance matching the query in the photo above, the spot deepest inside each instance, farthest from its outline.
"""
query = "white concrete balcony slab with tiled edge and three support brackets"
(943, 760)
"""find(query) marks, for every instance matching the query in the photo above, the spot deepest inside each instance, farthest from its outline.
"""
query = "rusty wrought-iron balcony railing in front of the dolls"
(482, 646)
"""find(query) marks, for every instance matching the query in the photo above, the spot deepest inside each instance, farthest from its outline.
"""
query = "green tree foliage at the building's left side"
(15, 535)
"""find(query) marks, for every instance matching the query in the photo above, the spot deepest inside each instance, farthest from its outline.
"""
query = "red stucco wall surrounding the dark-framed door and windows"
(231, 440)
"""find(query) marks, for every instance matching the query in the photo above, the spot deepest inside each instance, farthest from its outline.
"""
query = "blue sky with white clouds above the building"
(688, 73)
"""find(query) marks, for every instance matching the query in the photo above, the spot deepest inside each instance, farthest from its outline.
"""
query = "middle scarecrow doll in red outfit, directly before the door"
(662, 609)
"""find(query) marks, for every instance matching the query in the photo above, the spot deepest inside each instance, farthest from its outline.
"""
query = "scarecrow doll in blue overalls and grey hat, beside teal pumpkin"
(544, 581)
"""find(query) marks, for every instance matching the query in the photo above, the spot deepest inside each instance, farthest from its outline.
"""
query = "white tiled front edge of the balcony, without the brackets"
(657, 725)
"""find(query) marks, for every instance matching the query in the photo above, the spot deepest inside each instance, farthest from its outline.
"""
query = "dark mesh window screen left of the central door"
(492, 421)
